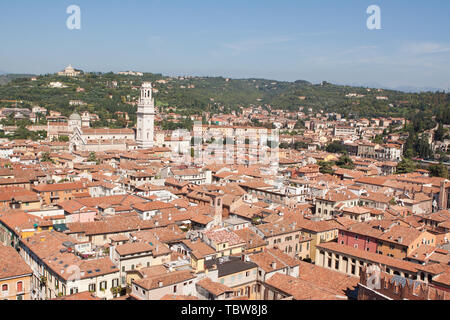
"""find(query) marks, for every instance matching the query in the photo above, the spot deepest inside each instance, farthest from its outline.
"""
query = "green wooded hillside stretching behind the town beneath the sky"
(107, 93)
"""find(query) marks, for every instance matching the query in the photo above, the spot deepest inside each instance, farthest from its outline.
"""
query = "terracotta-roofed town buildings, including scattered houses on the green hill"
(252, 205)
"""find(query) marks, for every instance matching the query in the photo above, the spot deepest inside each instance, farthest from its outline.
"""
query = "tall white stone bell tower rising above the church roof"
(145, 117)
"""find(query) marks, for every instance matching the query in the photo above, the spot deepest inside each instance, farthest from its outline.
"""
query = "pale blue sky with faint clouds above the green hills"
(314, 40)
